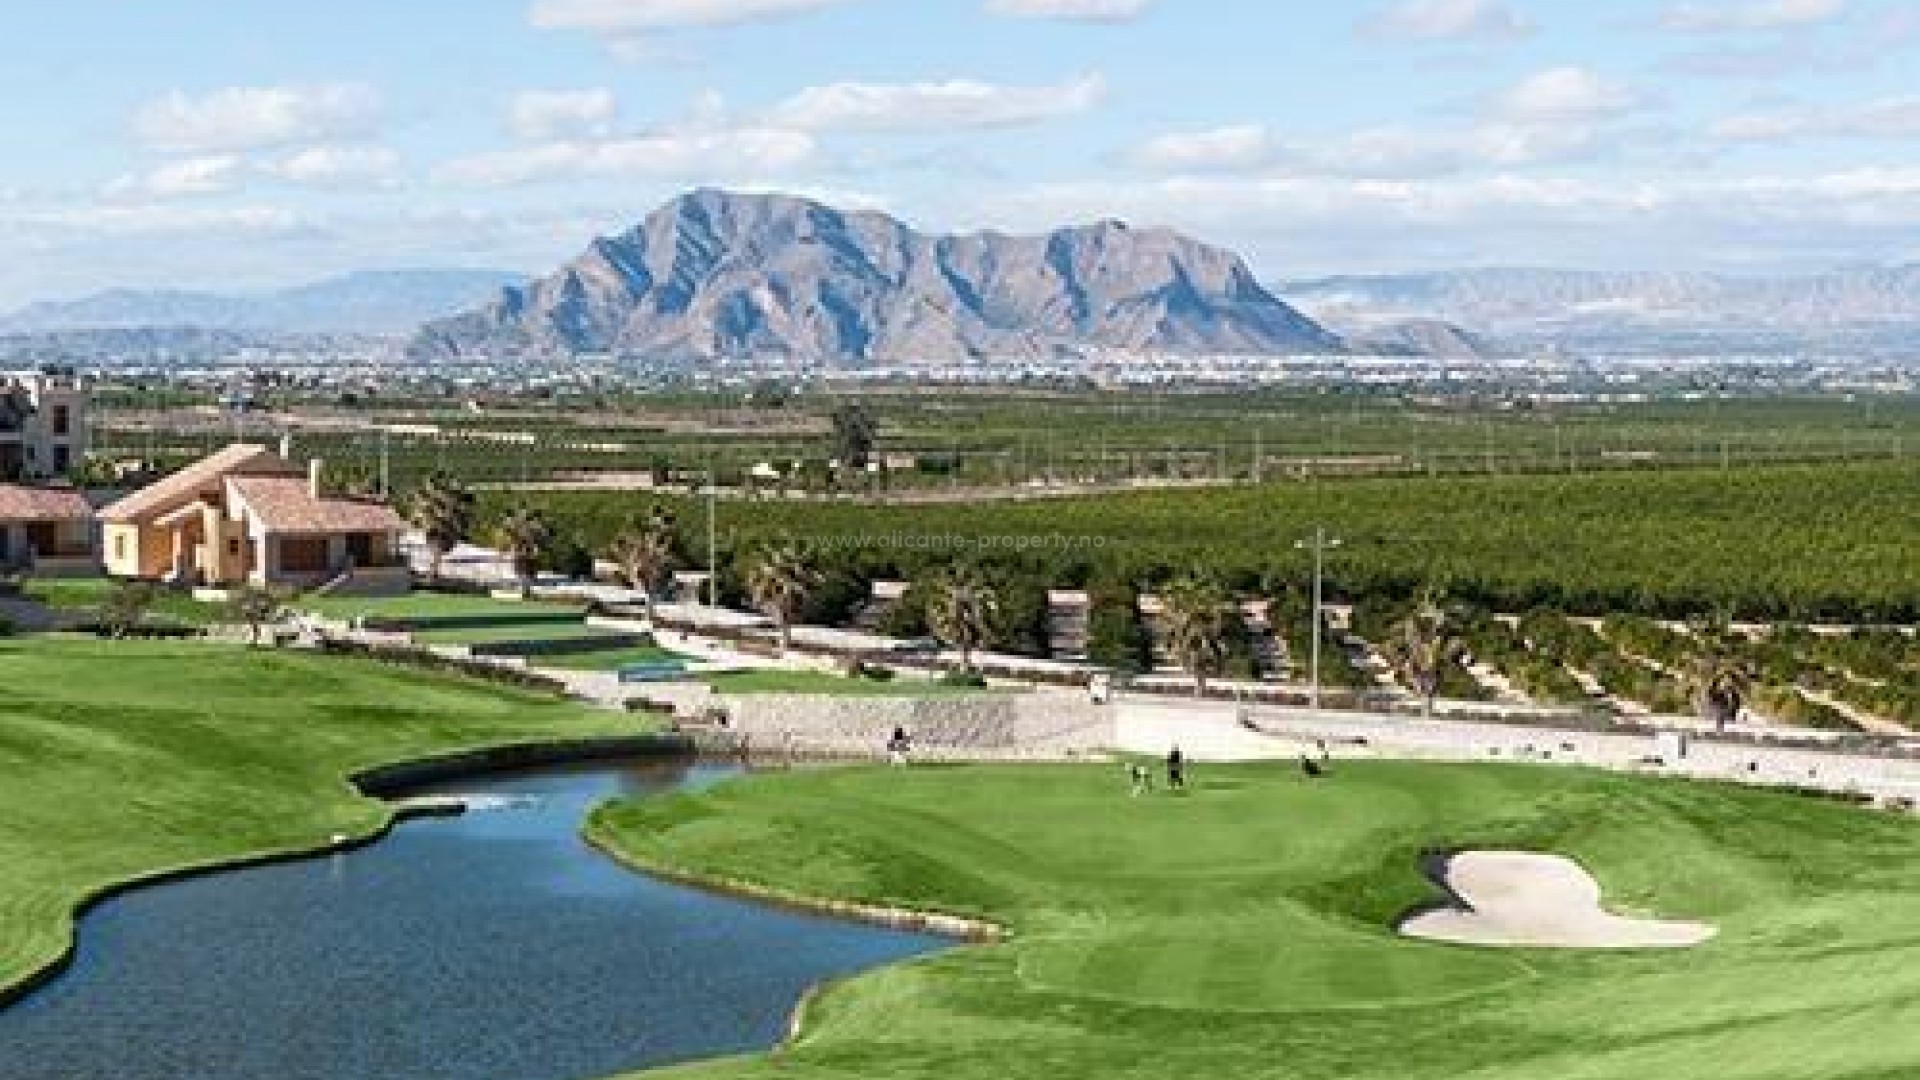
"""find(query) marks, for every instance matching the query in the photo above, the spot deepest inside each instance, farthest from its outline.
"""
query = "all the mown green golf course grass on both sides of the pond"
(1247, 927)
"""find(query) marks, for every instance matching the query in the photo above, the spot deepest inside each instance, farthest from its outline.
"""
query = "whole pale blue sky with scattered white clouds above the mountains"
(241, 145)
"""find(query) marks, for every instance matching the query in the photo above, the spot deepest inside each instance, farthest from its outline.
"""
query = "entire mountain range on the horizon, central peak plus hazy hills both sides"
(723, 278)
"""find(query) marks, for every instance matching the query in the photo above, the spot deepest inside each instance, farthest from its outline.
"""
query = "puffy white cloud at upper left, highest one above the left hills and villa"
(258, 118)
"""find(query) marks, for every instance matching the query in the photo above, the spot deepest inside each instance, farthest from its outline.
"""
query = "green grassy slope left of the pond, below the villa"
(124, 760)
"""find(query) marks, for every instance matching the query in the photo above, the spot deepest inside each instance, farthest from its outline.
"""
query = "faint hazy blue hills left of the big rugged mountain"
(375, 303)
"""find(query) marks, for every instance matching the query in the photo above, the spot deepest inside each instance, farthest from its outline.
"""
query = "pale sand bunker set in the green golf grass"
(1537, 902)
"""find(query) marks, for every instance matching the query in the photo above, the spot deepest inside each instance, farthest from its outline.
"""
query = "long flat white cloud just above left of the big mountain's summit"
(681, 157)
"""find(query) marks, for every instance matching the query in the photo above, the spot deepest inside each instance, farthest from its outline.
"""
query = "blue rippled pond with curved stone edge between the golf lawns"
(492, 946)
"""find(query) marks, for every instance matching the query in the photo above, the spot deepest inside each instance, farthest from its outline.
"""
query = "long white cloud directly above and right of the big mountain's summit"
(934, 107)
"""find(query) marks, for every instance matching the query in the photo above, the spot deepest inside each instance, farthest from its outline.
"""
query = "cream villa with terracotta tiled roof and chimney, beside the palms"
(249, 516)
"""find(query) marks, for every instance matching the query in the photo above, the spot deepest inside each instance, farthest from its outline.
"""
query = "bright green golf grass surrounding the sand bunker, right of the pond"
(1243, 931)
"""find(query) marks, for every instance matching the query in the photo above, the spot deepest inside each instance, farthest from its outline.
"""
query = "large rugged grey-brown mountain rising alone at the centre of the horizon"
(721, 278)
